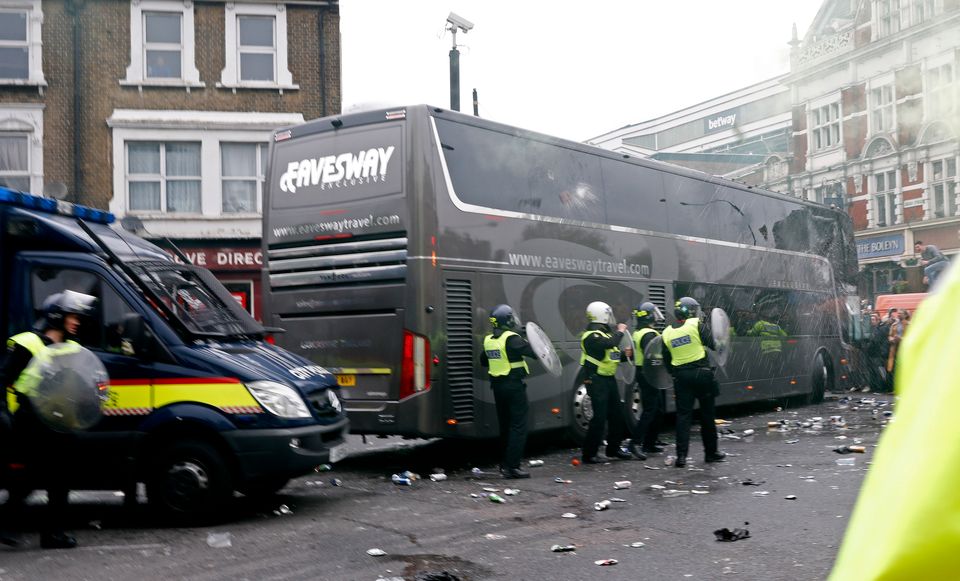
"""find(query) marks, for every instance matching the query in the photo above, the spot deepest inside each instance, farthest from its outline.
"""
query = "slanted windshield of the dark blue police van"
(202, 309)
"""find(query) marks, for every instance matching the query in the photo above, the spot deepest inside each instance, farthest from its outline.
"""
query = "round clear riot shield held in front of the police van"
(70, 387)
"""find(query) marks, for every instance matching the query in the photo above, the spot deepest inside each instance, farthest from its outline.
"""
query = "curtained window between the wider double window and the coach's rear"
(242, 170)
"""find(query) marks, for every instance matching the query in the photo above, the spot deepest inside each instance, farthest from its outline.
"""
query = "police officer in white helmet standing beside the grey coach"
(600, 355)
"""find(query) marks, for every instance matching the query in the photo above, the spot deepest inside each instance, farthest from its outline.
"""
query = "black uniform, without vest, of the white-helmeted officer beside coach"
(604, 397)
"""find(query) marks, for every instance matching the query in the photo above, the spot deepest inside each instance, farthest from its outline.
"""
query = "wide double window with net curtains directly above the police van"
(163, 177)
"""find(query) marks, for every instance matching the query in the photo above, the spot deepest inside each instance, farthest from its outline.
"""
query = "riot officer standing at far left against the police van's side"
(43, 452)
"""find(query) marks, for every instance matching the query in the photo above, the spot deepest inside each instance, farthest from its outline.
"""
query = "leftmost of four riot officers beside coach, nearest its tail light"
(503, 352)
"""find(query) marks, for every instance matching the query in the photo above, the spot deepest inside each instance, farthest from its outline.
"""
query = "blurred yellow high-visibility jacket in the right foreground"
(906, 523)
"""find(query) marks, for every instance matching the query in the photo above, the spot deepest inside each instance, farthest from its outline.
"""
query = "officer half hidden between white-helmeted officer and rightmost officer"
(653, 400)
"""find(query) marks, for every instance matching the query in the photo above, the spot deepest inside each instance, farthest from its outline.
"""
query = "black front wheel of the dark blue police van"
(189, 482)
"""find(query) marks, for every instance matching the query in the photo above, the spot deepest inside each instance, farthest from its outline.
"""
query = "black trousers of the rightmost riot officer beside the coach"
(696, 384)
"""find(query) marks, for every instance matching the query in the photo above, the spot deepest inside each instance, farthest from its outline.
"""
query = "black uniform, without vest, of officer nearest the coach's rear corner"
(510, 395)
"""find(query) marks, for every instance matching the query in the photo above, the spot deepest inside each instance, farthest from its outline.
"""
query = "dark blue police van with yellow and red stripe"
(201, 404)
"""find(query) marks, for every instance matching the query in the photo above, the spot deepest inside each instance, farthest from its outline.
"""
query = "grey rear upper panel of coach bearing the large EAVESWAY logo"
(337, 167)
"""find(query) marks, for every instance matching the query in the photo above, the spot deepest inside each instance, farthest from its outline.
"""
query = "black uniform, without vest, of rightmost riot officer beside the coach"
(694, 382)
